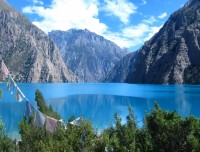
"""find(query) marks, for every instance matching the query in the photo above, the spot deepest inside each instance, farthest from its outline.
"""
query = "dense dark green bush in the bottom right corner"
(170, 132)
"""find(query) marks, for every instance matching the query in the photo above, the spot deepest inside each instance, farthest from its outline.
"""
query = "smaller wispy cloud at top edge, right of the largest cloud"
(120, 8)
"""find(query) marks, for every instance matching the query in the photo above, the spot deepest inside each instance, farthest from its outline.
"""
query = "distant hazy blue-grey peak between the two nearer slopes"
(87, 54)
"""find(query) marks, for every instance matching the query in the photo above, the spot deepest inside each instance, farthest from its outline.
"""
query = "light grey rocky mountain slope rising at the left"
(27, 51)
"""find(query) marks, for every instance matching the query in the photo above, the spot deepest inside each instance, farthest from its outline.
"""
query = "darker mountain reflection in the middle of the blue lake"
(99, 109)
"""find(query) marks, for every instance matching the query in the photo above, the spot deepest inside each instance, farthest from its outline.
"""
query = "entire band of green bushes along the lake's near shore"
(163, 131)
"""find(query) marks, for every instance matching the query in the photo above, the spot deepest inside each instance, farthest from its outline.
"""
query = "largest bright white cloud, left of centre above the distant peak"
(66, 14)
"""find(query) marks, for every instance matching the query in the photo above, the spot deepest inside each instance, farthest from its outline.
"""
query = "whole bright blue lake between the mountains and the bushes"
(98, 102)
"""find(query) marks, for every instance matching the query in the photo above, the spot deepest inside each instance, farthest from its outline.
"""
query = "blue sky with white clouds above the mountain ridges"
(128, 23)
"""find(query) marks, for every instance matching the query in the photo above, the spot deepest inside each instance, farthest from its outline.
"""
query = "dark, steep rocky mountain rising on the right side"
(172, 55)
